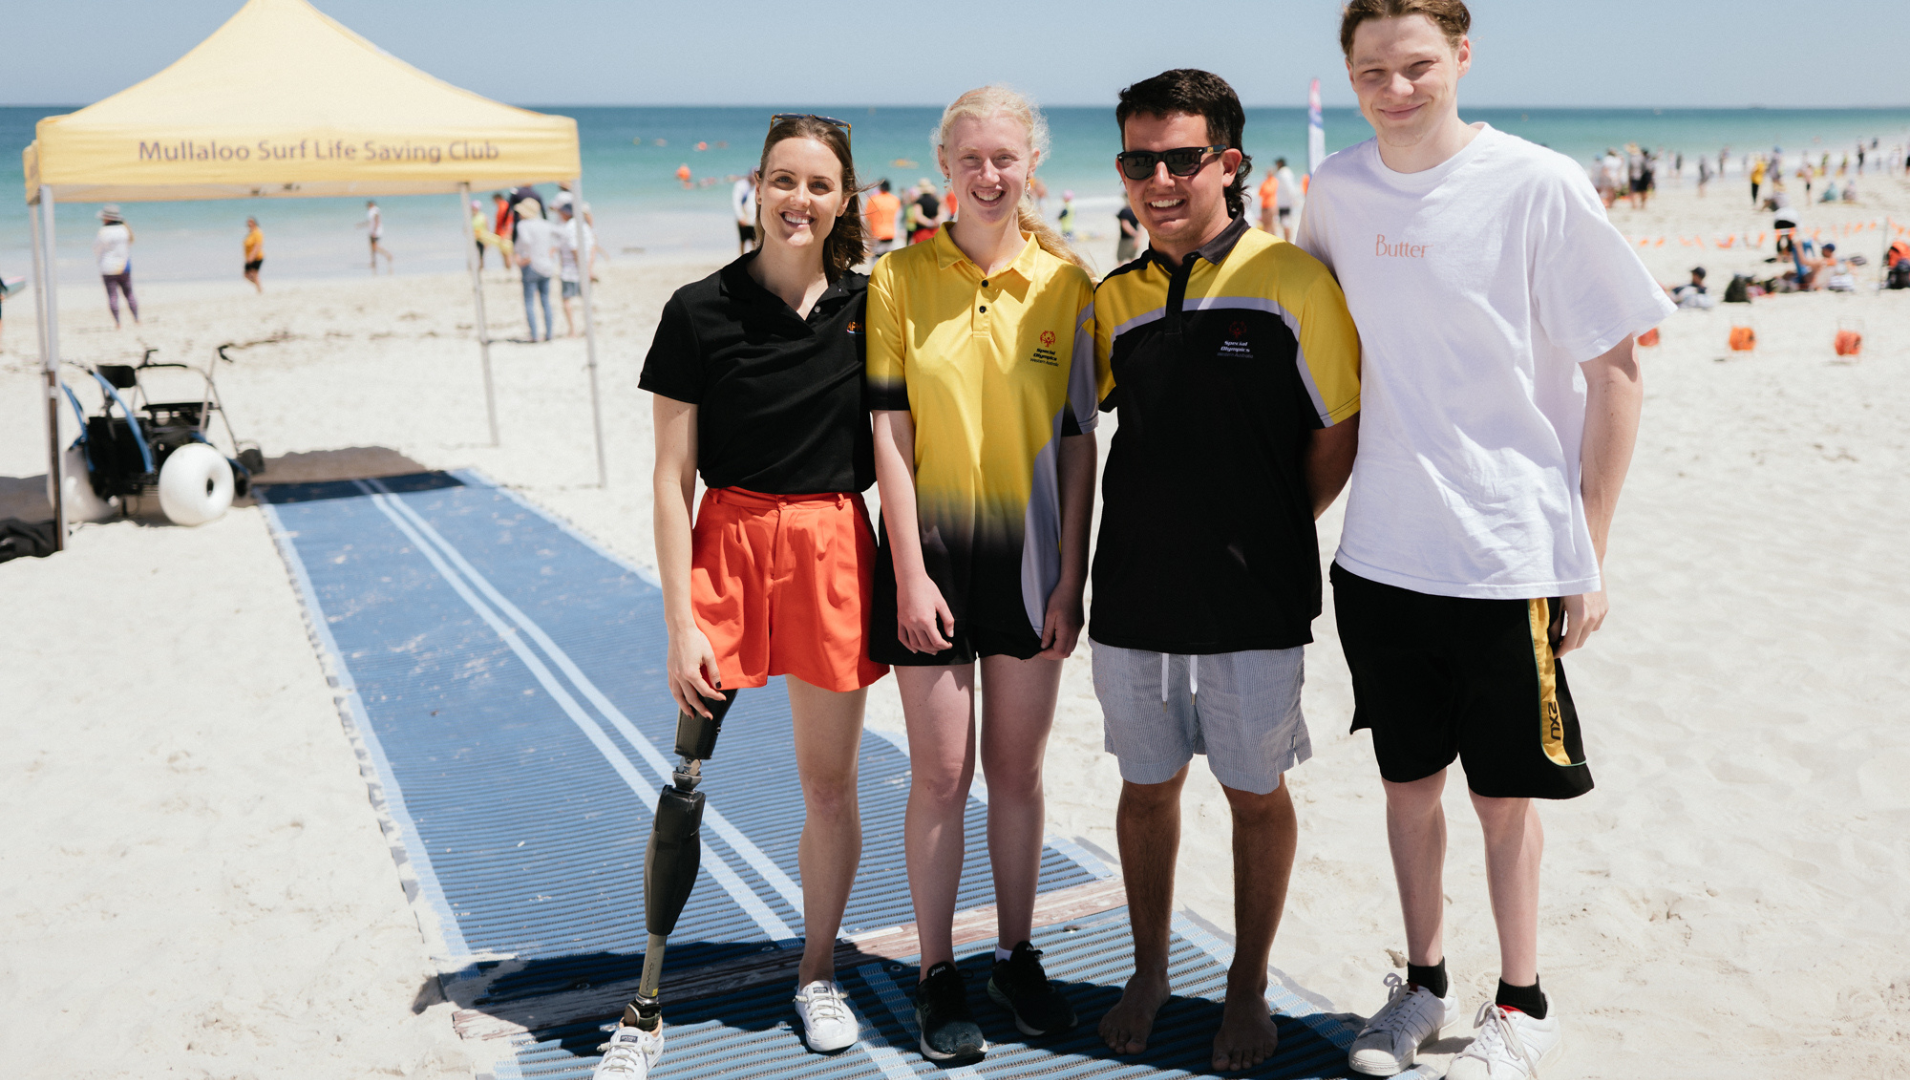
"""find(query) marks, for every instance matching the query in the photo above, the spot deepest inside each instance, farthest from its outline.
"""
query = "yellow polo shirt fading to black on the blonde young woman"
(994, 372)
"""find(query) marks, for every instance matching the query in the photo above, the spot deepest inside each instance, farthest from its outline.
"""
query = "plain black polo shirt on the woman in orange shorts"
(780, 399)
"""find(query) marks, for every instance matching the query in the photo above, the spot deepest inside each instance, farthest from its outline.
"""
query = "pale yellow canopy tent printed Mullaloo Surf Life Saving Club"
(287, 102)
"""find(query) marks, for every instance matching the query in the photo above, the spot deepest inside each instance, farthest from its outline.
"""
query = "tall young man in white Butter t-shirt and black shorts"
(1500, 389)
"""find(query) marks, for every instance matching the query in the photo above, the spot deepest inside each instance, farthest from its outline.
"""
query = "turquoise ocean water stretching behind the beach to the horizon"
(643, 213)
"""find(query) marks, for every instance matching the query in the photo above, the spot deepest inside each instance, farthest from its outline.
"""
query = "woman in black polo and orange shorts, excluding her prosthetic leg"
(759, 385)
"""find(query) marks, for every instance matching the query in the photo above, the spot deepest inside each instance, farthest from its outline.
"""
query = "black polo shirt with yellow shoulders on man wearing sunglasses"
(1221, 372)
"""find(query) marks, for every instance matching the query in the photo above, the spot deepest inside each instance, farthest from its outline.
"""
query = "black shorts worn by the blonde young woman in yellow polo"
(988, 616)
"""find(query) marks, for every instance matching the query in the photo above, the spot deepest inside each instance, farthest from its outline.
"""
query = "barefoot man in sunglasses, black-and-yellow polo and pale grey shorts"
(1237, 374)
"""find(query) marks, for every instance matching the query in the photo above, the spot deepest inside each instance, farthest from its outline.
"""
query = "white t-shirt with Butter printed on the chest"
(1479, 288)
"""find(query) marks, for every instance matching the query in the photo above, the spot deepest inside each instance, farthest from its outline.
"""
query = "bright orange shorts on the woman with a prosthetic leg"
(784, 586)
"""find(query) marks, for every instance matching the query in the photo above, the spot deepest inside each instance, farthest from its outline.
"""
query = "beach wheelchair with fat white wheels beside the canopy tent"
(140, 446)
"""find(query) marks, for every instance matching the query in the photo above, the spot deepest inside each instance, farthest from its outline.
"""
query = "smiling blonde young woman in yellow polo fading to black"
(983, 385)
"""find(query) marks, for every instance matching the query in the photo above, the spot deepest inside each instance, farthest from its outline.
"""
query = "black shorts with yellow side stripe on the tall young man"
(1443, 678)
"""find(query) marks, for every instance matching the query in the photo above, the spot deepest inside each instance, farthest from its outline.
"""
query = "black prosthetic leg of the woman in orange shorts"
(675, 855)
